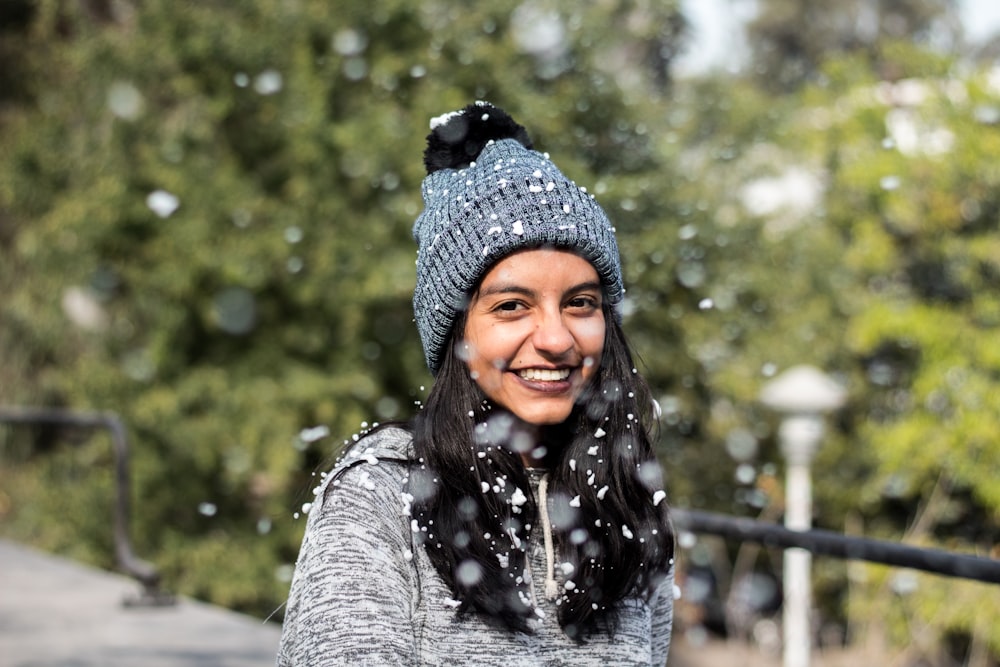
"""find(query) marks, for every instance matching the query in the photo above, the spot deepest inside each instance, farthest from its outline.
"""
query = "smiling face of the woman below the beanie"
(534, 333)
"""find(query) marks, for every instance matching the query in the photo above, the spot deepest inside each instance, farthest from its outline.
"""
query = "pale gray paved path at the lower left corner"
(57, 613)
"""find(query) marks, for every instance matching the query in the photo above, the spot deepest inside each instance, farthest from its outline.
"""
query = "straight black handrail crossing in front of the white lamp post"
(829, 543)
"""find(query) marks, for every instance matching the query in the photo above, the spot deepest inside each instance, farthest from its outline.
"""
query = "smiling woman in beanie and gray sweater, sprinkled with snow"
(519, 518)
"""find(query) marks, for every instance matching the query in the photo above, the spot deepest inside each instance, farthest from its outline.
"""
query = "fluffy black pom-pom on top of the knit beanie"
(457, 138)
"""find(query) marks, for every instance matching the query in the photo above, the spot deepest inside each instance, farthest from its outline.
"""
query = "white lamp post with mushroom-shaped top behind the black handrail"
(802, 395)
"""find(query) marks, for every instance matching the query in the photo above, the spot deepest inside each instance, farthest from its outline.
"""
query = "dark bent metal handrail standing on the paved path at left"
(144, 572)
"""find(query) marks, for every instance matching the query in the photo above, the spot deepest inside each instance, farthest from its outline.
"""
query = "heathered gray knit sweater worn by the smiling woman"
(364, 594)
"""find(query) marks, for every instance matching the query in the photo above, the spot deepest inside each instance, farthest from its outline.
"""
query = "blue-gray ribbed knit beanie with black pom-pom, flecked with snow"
(486, 195)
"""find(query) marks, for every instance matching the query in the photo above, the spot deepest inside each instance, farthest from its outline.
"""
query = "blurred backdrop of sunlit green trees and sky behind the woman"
(205, 213)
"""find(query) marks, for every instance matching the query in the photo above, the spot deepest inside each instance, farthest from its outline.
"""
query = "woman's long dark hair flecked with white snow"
(474, 508)
